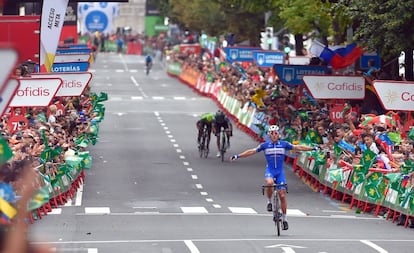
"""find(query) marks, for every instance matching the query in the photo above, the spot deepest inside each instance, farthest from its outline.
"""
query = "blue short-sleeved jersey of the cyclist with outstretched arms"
(275, 154)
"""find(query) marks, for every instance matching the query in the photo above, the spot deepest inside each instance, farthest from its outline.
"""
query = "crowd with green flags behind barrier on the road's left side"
(54, 141)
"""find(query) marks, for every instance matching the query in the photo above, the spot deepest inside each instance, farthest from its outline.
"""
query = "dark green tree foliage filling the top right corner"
(385, 26)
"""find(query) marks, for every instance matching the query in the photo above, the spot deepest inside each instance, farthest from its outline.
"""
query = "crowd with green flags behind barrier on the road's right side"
(366, 161)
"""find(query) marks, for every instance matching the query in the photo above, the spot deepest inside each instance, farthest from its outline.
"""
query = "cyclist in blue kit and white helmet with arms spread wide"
(274, 151)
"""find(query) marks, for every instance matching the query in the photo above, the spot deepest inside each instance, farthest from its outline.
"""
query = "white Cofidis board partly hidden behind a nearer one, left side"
(73, 83)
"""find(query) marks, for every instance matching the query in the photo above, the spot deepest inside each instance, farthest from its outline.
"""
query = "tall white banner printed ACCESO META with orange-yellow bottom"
(53, 16)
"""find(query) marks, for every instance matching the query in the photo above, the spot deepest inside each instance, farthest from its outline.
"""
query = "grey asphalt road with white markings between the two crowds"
(148, 190)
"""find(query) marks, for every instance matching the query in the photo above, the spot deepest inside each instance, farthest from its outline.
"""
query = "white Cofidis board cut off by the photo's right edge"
(395, 95)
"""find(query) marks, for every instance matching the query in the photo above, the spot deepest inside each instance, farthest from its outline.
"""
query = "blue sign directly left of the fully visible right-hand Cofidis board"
(293, 74)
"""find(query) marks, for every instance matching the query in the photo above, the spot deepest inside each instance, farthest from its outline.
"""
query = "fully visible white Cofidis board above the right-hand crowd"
(335, 87)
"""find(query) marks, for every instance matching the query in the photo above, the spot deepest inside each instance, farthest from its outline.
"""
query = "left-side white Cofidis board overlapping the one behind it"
(35, 92)
